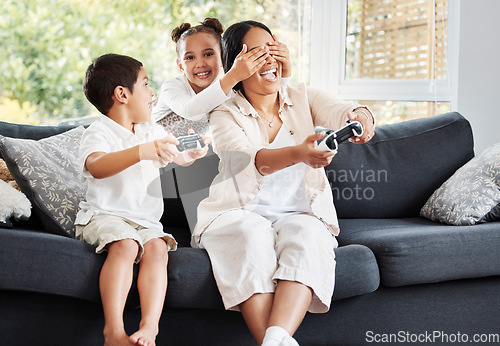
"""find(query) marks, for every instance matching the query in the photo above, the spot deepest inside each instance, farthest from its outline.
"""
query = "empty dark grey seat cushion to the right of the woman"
(416, 250)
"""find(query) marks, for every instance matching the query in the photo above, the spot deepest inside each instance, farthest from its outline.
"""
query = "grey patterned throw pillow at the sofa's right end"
(471, 195)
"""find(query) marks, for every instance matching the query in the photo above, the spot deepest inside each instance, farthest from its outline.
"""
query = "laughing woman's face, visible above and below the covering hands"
(268, 79)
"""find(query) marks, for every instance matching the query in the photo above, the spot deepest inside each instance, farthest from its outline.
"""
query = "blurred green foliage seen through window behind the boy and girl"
(46, 45)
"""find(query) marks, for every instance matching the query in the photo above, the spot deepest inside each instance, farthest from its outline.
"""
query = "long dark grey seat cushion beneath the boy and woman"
(47, 263)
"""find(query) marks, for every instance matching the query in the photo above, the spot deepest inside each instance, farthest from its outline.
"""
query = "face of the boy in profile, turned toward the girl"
(140, 100)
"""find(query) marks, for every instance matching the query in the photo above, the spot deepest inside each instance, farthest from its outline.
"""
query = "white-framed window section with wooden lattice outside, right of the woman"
(389, 54)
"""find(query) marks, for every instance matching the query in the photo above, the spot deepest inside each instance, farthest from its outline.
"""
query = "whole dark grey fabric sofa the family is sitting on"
(400, 278)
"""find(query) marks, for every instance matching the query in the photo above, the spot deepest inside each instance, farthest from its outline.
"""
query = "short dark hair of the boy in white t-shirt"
(105, 74)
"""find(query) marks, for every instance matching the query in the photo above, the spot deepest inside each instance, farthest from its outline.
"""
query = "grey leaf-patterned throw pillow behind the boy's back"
(47, 171)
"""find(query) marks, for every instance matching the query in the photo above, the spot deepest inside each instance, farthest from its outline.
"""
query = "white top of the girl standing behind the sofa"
(178, 97)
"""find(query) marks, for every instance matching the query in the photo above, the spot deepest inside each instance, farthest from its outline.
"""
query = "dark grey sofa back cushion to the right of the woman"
(394, 174)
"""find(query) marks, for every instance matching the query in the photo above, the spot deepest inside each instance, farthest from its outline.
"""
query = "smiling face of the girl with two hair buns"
(199, 59)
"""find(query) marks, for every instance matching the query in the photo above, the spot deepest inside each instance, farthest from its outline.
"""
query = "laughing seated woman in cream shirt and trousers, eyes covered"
(269, 222)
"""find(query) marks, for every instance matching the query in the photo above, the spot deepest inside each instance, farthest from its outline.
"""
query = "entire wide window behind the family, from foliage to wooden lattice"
(393, 55)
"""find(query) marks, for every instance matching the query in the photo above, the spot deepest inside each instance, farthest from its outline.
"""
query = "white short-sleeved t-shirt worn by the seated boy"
(135, 193)
